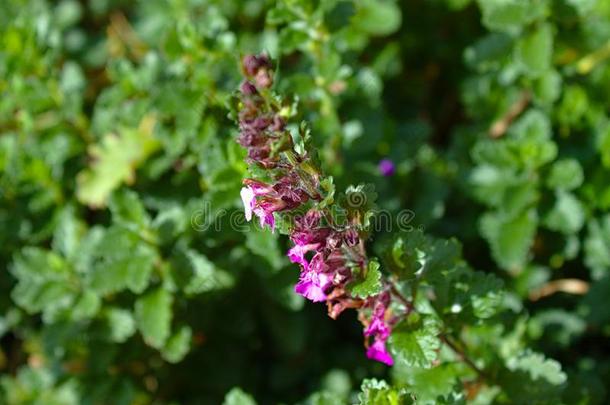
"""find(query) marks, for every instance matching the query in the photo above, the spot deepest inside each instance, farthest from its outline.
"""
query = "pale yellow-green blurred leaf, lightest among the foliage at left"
(114, 162)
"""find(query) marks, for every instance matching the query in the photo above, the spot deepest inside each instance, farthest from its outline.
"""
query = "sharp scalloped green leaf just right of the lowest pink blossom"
(415, 341)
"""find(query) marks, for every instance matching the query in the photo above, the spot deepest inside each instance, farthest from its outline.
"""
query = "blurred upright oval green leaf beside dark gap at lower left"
(154, 316)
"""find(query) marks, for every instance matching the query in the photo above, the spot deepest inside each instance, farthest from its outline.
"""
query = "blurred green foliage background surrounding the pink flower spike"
(115, 145)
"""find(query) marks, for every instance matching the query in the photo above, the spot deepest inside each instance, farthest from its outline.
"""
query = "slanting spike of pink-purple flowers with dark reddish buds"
(330, 257)
